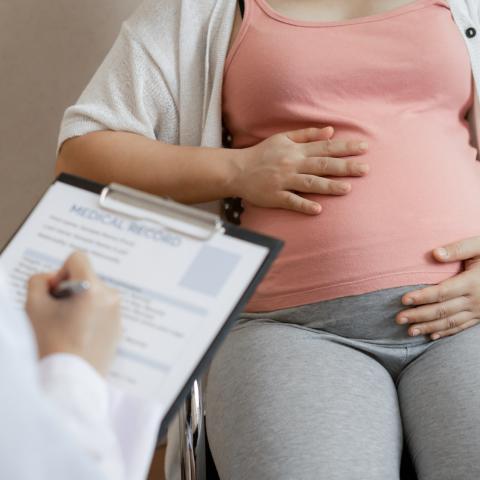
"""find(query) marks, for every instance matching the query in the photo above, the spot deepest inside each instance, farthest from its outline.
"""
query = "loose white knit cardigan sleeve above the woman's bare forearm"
(134, 88)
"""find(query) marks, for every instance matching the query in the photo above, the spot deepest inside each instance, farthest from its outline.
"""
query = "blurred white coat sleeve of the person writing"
(59, 419)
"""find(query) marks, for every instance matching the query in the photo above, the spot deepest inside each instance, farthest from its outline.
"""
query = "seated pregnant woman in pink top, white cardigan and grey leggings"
(363, 333)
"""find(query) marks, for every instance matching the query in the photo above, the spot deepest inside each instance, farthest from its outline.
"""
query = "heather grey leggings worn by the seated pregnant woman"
(327, 391)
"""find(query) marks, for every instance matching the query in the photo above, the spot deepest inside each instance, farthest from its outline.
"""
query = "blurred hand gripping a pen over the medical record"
(86, 324)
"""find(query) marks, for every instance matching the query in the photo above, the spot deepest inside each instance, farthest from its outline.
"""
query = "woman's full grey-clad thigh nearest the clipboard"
(287, 402)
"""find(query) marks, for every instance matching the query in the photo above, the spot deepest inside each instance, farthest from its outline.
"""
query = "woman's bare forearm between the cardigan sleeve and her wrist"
(186, 174)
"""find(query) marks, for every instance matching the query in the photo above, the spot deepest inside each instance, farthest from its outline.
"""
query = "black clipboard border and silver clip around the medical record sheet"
(184, 221)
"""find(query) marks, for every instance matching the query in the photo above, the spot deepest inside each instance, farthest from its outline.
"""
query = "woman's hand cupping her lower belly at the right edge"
(454, 304)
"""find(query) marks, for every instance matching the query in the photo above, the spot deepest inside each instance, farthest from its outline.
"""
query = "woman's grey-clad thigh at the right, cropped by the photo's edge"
(439, 395)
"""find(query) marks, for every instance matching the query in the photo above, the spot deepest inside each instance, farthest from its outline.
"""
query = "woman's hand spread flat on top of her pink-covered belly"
(270, 173)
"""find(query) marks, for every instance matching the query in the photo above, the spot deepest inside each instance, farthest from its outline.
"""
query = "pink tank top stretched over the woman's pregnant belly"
(400, 80)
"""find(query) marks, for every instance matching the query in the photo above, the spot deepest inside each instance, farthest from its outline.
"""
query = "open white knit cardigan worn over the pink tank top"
(163, 76)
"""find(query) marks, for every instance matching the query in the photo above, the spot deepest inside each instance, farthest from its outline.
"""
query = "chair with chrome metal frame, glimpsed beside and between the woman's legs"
(196, 459)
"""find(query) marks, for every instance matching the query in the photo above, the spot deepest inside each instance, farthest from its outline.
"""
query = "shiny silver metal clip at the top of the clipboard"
(171, 215)
